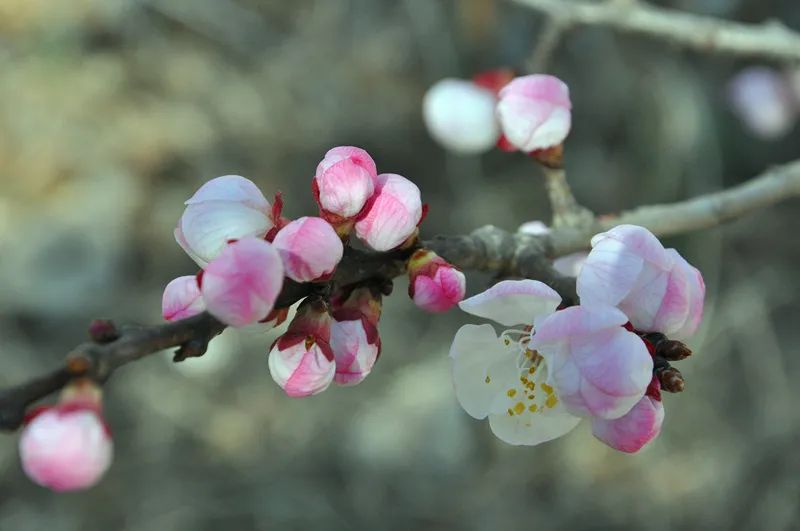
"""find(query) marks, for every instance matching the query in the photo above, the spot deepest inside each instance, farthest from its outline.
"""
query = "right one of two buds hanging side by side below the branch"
(355, 341)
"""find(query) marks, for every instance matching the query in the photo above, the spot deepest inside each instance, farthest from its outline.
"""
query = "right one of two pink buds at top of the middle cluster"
(392, 215)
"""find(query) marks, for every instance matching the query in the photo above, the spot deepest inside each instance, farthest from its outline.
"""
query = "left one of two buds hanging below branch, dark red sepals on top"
(301, 360)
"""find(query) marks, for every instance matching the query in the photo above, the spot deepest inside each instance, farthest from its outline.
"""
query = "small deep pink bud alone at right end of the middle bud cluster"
(434, 284)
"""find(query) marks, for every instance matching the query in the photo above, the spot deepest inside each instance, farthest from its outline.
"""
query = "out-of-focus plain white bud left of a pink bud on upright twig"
(460, 116)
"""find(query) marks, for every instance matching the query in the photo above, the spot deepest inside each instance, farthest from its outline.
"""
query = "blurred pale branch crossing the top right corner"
(770, 40)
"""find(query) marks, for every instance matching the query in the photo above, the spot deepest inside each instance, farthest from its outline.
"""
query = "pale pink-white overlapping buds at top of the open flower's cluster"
(655, 287)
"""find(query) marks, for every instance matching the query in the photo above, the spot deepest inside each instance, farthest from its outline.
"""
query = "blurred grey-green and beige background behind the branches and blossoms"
(113, 112)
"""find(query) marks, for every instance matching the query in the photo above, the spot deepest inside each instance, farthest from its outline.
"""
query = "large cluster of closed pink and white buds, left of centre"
(246, 248)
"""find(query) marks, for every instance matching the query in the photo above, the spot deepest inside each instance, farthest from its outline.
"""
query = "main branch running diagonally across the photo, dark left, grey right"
(488, 249)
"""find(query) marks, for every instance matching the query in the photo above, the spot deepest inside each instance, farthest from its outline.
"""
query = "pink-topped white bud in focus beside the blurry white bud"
(535, 112)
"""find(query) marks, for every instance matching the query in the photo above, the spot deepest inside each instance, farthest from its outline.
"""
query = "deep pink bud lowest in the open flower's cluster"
(633, 430)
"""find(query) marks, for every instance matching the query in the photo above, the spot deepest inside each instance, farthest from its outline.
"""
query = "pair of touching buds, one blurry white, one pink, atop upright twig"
(528, 113)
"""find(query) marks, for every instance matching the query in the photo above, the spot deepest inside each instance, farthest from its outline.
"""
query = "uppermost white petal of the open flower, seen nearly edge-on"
(513, 302)
